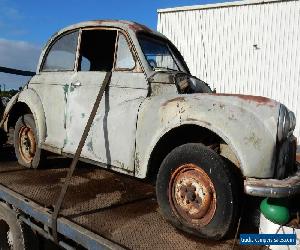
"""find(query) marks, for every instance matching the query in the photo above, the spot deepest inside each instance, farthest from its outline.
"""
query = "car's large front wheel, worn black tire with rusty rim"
(197, 192)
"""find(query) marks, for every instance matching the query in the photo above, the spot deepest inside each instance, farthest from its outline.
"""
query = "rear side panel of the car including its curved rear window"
(51, 84)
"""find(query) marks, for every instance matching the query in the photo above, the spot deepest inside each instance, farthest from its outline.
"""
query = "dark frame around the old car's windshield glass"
(175, 54)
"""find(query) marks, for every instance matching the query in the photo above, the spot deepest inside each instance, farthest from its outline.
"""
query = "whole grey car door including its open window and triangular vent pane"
(112, 136)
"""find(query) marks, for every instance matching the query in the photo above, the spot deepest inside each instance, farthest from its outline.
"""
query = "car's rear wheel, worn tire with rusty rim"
(26, 142)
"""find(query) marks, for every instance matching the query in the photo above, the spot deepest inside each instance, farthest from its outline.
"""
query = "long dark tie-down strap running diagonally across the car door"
(87, 128)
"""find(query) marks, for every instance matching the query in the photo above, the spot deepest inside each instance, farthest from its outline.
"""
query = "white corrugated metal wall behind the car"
(247, 48)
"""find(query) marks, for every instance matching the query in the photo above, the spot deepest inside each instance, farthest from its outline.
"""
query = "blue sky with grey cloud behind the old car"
(25, 26)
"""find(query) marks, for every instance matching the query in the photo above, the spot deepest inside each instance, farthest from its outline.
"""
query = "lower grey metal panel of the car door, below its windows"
(112, 136)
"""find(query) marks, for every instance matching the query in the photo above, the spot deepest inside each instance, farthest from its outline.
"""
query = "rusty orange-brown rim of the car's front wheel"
(192, 195)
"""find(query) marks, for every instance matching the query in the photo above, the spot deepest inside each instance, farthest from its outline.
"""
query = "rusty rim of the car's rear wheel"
(27, 144)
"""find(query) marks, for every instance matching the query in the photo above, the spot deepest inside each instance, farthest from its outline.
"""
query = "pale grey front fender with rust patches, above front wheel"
(245, 123)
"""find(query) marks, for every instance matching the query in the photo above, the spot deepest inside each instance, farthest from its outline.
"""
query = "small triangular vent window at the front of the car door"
(125, 59)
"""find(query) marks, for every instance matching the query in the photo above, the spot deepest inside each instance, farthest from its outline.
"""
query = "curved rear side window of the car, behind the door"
(61, 56)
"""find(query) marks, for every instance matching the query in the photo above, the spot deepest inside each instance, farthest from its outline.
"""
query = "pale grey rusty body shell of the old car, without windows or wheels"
(247, 124)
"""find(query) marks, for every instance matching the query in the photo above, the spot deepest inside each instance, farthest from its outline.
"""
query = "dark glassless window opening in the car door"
(97, 50)
